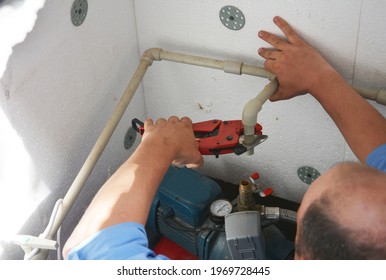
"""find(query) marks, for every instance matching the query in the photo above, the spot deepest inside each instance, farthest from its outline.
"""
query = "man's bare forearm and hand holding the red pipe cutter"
(127, 195)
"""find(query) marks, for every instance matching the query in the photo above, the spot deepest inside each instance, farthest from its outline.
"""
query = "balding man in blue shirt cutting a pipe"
(342, 214)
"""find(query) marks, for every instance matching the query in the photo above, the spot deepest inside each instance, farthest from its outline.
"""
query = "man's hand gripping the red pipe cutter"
(177, 136)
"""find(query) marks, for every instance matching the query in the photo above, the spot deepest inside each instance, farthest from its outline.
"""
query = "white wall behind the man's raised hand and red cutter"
(348, 33)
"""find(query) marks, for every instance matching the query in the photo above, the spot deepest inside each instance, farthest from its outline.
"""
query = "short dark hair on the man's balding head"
(321, 237)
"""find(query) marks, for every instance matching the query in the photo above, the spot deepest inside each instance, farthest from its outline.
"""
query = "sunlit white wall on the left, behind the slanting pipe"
(59, 89)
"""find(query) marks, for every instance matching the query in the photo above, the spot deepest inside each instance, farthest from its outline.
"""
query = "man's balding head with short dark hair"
(343, 215)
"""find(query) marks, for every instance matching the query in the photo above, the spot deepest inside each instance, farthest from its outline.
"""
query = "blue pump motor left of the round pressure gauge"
(180, 212)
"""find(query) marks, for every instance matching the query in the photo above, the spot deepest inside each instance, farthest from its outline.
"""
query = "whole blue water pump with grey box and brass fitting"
(191, 210)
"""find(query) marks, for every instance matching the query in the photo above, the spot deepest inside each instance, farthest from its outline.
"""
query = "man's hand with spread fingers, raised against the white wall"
(297, 65)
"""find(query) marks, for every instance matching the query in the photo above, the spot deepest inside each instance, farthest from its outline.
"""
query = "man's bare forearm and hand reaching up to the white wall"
(301, 69)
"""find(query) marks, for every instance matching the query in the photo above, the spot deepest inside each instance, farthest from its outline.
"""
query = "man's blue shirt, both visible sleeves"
(128, 241)
